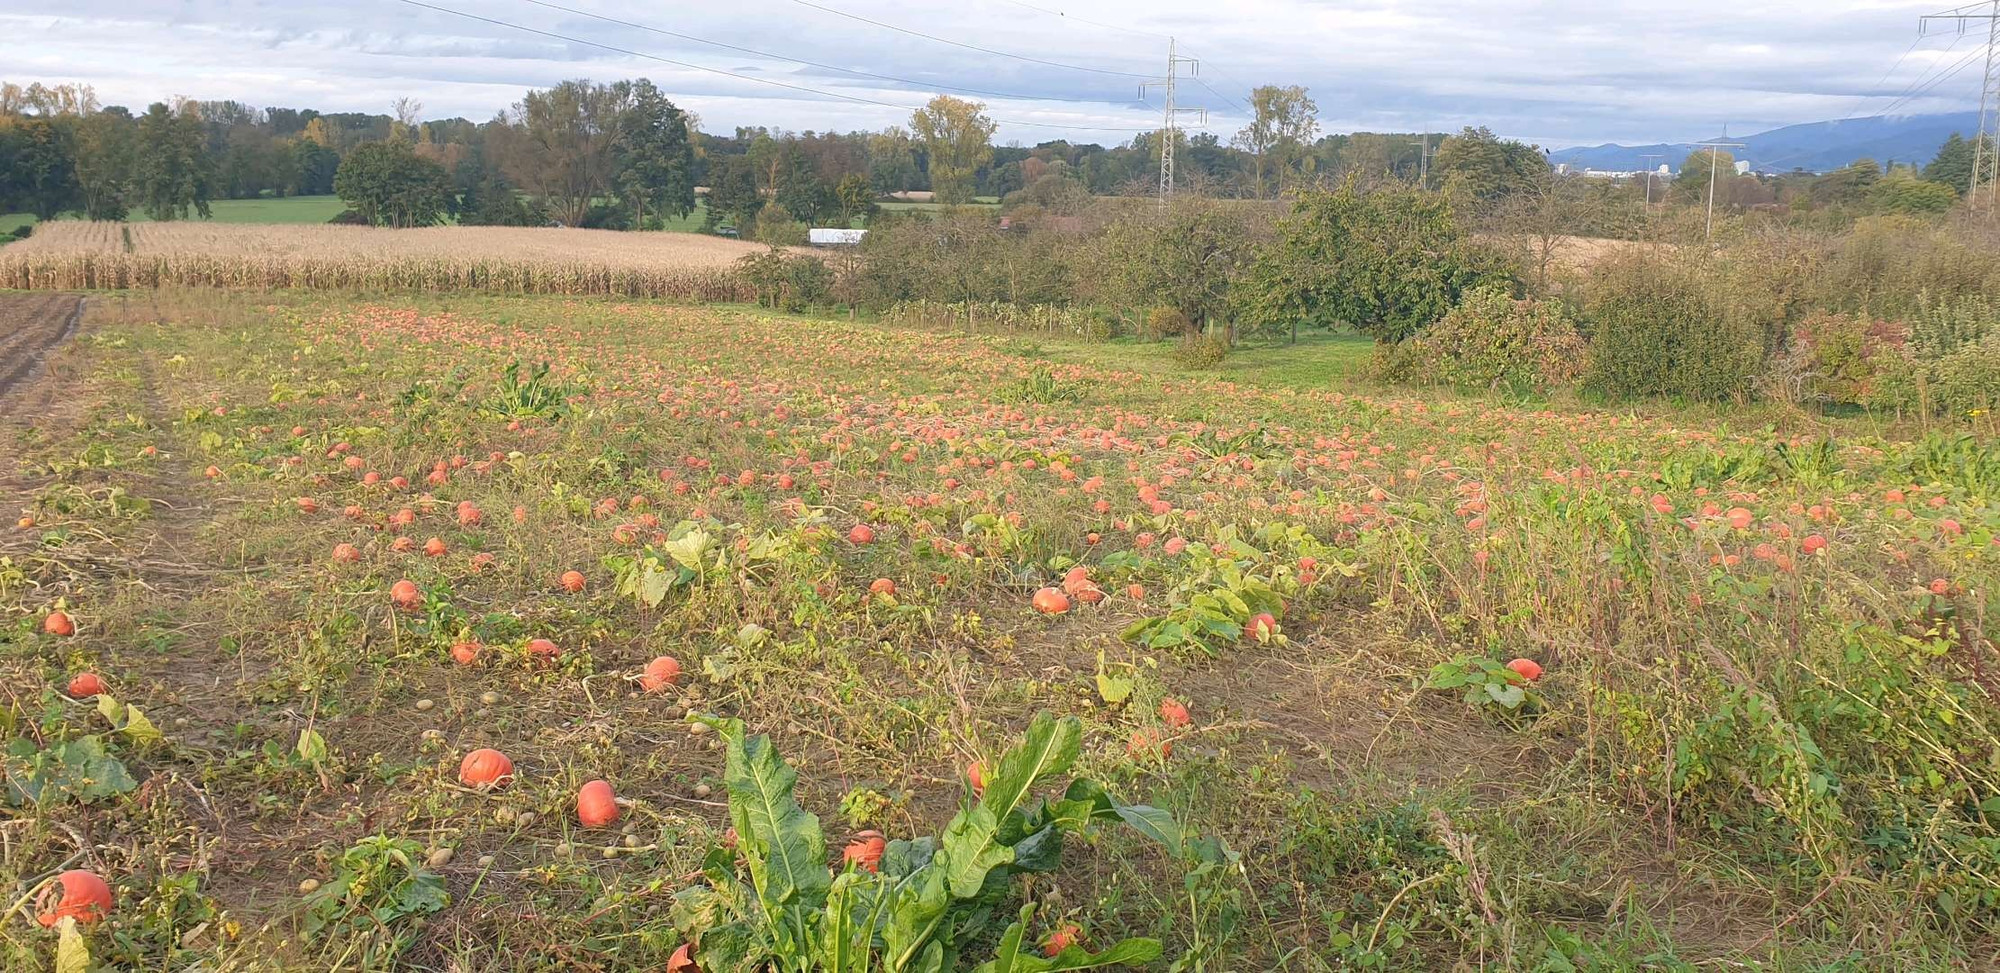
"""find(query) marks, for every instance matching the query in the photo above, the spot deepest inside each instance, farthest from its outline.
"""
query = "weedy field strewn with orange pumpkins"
(489, 634)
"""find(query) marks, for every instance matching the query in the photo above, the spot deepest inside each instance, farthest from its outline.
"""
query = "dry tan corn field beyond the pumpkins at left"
(497, 259)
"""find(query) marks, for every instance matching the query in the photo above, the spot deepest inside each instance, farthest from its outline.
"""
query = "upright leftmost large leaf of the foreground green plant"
(781, 842)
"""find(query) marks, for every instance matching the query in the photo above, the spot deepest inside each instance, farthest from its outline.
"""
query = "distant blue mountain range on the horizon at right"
(1815, 147)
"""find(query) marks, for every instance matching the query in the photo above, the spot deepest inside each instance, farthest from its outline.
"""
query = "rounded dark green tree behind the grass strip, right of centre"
(1385, 263)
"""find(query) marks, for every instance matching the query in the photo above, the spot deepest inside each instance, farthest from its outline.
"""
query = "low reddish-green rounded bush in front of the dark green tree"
(1493, 343)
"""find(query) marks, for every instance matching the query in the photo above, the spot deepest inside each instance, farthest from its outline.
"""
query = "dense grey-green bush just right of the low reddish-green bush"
(1673, 327)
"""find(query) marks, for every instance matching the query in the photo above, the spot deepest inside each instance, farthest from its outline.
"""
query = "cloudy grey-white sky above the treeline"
(1547, 71)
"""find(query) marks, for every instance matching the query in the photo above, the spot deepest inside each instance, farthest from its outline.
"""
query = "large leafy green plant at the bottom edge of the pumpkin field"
(773, 904)
